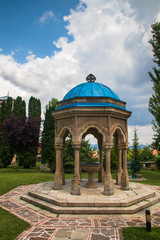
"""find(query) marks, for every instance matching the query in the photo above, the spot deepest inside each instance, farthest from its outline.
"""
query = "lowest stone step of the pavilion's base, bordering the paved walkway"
(92, 210)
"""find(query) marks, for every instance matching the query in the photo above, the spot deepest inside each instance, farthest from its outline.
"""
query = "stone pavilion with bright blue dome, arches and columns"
(92, 108)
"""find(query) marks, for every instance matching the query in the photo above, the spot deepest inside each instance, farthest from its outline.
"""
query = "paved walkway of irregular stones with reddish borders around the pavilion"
(47, 225)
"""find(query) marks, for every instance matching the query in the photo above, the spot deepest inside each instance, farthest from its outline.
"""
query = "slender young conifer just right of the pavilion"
(135, 153)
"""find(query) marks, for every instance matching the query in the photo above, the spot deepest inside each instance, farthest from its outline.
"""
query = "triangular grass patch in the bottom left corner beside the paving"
(10, 225)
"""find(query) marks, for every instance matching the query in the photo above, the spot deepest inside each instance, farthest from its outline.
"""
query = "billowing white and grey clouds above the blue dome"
(109, 41)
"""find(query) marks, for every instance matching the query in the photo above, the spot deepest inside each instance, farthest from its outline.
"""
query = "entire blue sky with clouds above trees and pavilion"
(48, 47)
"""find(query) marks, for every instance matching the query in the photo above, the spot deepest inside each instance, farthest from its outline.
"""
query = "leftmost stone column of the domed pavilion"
(58, 178)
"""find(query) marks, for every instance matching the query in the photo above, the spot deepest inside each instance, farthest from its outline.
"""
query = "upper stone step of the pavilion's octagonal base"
(64, 203)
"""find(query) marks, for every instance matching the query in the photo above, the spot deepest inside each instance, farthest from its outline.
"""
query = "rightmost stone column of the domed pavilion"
(124, 178)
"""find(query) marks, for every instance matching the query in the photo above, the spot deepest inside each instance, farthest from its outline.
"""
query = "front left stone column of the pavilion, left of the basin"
(75, 189)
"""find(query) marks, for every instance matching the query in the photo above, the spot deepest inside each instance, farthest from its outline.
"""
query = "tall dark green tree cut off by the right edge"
(154, 102)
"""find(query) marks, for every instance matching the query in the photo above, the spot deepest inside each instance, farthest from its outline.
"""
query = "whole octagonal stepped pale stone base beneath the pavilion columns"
(91, 201)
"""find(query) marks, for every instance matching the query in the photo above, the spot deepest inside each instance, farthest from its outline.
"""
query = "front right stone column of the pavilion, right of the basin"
(108, 182)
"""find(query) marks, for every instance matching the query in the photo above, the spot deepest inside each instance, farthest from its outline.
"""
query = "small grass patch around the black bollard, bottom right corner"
(139, 233)
